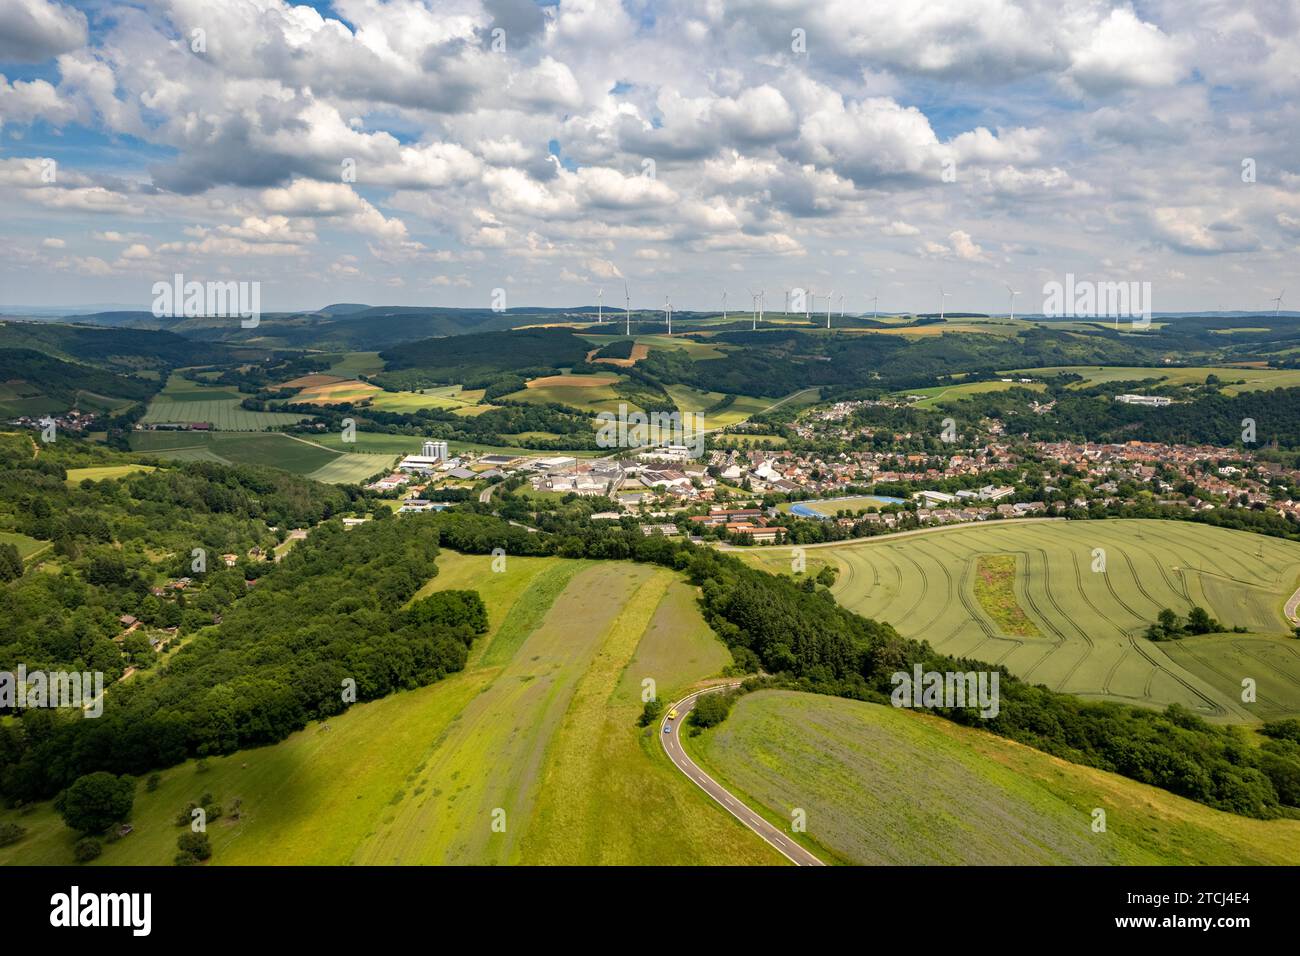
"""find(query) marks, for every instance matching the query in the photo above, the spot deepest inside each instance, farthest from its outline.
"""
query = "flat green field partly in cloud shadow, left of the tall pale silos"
(275, 449)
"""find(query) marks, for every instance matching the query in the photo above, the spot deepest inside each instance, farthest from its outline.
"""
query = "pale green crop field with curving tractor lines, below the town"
(1093, 622)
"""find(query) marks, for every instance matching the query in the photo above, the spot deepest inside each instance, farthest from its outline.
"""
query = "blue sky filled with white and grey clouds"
(424, 153)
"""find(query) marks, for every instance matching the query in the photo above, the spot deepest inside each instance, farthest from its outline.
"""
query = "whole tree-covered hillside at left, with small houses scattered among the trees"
(265, 647)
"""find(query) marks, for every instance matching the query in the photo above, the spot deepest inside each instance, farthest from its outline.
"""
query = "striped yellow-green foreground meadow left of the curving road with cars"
(541, 726)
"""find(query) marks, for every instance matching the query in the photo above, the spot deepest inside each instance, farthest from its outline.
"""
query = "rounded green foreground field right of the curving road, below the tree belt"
(883, 786)
